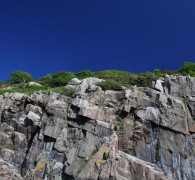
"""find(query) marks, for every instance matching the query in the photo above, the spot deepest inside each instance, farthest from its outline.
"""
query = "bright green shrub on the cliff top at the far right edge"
(188, 69)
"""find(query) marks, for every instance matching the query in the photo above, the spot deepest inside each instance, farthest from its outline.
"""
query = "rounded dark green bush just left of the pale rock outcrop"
(61, 78)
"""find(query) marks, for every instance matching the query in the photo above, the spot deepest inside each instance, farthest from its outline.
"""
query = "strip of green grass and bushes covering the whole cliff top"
(114, 79)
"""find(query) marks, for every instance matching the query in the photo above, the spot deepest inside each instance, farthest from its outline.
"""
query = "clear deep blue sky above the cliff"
(46, 36)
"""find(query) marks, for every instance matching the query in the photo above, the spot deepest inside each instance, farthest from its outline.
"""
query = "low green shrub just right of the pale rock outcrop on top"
(110, 85)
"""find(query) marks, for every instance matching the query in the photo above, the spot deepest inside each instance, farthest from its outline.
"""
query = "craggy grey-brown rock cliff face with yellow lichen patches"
(137, 133)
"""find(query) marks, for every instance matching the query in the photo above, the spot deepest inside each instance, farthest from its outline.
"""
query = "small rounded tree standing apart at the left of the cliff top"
(18, 77)
